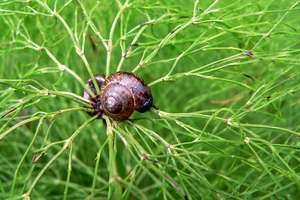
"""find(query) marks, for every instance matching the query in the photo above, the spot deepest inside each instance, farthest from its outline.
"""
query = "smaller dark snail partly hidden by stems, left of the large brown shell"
(94, 101)
